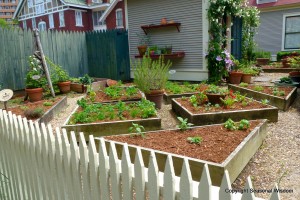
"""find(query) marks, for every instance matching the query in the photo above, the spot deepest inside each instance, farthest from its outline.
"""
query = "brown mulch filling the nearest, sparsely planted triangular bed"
(216, 146)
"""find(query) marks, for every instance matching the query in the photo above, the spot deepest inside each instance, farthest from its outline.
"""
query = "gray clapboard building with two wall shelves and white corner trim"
(186, 31)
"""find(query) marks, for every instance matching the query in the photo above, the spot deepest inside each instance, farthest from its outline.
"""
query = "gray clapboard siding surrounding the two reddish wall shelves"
(189, 39)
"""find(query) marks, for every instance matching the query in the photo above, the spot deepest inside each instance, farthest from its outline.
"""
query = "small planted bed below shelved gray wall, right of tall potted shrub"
(176, 90)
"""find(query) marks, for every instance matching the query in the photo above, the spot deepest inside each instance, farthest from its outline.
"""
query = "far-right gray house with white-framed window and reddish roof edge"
(280, 25)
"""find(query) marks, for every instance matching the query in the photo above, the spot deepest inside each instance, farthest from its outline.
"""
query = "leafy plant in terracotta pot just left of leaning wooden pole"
(35, 80)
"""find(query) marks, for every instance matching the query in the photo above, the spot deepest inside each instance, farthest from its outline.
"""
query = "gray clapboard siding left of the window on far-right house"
(269, 36)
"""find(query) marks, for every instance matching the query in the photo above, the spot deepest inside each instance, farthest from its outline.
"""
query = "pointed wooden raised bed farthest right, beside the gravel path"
(281, 97)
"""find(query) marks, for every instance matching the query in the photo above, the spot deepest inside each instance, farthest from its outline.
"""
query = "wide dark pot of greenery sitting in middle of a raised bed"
(215, 94)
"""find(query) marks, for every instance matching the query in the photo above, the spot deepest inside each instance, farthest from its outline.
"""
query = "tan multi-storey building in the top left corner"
(7, 9)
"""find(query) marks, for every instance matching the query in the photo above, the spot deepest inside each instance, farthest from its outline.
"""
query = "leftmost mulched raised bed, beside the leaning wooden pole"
(43, 111)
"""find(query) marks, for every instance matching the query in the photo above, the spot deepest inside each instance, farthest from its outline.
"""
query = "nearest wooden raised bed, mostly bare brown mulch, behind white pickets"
(220, 149)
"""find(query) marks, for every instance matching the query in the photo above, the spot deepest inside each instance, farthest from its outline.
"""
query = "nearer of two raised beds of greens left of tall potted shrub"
(112, 119)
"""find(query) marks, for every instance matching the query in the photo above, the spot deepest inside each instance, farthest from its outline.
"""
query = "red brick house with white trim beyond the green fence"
(71, 15)
